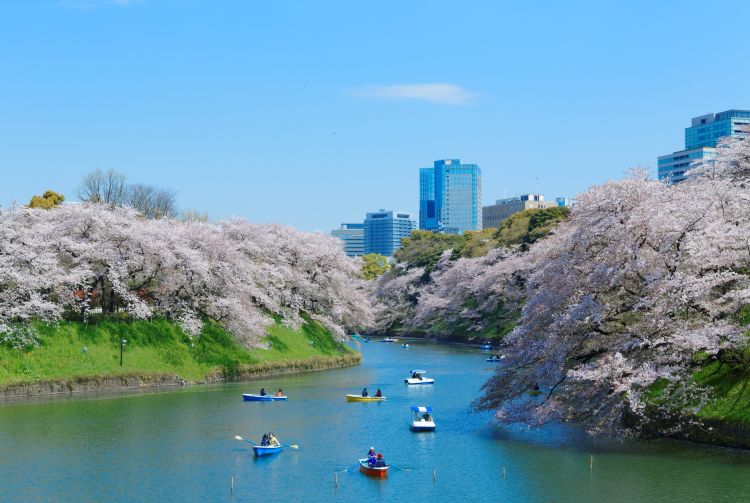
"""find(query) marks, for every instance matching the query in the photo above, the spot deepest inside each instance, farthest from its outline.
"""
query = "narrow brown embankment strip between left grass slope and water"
(96, 383)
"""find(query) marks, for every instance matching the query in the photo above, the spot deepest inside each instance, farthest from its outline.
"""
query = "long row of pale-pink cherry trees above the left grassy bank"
(78, 257)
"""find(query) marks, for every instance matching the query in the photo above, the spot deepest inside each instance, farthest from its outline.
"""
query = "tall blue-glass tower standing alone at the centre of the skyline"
(450, 197)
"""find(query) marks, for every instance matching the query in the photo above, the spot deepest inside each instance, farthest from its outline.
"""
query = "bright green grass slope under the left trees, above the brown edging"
(157, 347)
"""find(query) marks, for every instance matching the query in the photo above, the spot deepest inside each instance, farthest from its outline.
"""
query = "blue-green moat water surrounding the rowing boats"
(179, 445)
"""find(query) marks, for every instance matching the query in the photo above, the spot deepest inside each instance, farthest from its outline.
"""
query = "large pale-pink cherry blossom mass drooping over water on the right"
(640, 287)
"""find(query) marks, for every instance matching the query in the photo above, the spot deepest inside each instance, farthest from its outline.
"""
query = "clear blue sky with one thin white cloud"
(311, 113)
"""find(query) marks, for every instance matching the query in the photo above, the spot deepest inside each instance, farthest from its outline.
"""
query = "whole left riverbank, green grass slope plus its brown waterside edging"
(73, 357)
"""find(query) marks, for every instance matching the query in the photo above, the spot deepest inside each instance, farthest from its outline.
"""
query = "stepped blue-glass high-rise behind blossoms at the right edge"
(700, 142)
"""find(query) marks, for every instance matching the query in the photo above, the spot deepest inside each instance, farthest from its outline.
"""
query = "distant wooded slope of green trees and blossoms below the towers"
(430, 292)
